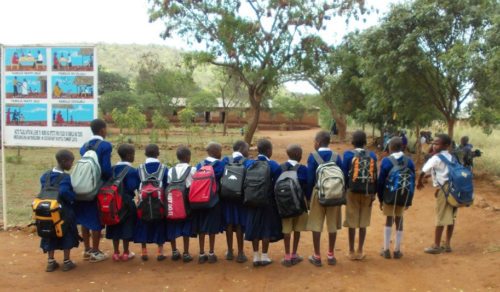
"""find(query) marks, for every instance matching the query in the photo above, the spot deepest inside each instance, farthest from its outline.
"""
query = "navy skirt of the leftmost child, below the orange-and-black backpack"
(70, 238)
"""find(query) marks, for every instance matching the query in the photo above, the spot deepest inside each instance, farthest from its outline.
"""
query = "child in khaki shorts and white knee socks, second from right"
(393, 212)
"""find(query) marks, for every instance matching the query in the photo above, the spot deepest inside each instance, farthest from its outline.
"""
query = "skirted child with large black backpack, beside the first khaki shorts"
(263, 223)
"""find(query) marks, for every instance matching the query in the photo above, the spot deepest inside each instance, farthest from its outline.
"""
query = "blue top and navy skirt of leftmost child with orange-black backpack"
(66, 199)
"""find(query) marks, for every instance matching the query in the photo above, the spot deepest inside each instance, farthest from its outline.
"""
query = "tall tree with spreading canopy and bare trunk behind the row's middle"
(260, 41)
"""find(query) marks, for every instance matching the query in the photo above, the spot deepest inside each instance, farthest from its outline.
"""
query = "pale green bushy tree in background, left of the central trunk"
(163, 83)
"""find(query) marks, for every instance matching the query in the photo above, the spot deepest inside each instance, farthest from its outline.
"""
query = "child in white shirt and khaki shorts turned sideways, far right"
(445, 213)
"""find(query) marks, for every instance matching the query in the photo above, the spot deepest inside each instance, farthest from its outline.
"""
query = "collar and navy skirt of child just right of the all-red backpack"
(233, 212)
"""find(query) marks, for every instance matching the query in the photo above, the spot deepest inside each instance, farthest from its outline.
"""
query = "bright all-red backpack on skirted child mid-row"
(203, 190)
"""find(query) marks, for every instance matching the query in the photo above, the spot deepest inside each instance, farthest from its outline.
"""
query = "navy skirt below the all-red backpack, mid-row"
(207, 220)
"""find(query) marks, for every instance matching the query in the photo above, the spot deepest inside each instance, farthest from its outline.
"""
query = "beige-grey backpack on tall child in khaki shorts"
(329, 181)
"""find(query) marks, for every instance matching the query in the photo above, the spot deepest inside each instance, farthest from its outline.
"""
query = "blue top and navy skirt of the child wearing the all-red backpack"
(209, 220)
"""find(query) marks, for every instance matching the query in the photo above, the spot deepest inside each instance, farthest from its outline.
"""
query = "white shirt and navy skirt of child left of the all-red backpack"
(178, 228)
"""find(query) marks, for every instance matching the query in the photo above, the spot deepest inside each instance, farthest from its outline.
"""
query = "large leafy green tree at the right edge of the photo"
(438, 45)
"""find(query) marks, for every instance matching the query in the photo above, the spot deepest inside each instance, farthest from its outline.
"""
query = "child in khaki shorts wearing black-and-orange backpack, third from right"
(358, 206)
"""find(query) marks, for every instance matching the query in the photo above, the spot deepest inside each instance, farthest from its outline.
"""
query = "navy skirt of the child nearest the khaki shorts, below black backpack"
(263, 223)
